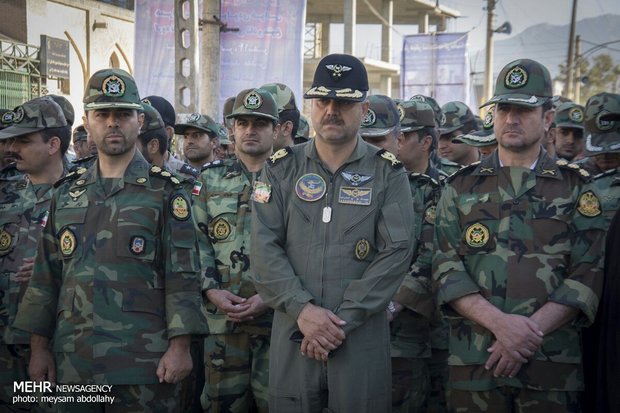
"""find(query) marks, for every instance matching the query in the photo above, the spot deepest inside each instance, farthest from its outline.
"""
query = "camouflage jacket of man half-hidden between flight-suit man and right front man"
(410, 329)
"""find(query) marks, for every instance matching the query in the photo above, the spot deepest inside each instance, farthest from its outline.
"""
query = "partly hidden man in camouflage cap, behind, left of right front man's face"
(458, 119)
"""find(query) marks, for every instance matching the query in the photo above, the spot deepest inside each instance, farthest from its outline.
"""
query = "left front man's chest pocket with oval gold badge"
(69, 226)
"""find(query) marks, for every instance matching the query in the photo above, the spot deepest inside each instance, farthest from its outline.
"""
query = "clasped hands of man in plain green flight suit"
(321, 328)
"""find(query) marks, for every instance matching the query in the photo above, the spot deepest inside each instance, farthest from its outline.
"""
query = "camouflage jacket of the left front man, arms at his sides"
(116, 275)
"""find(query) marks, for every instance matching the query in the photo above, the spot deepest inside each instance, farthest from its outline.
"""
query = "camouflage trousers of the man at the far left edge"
(13, 367)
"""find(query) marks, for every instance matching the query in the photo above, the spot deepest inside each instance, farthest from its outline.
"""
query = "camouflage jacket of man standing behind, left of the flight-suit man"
(222, 210)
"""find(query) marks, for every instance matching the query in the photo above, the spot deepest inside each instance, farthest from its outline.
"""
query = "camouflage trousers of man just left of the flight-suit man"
(236, 373)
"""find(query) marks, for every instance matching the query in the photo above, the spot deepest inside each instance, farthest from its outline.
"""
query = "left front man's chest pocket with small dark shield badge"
(136, 233)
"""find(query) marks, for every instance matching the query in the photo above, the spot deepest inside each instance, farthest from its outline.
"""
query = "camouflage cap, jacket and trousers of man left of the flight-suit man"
(236, 354)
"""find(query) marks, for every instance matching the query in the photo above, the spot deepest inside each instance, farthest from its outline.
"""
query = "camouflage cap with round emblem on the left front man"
(111, 88)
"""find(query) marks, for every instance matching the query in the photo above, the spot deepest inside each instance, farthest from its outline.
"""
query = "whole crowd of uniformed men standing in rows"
(407, 257)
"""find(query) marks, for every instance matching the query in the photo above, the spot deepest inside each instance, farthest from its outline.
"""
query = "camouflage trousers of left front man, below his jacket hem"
(128, 398)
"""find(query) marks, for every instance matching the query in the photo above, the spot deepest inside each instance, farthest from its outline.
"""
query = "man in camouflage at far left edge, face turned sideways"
(38, 138)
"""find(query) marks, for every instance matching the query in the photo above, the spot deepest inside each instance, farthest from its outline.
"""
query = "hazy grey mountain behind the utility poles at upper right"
(548, 44)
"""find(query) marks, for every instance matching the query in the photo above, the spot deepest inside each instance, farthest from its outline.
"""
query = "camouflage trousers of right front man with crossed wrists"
(514, 400)
